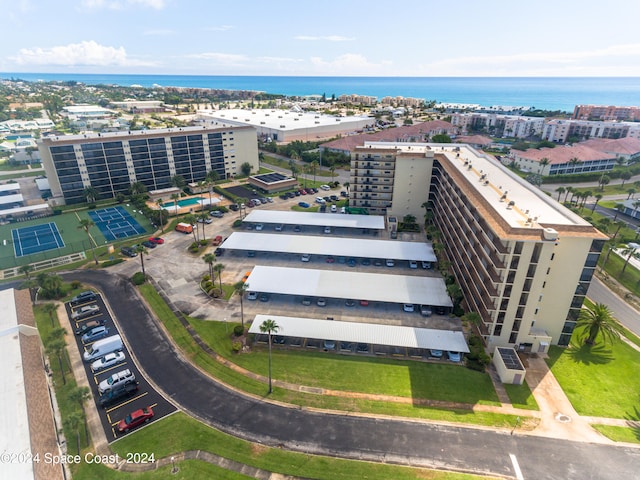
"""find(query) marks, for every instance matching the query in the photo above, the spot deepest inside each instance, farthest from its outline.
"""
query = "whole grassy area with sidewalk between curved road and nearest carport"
(433, 391)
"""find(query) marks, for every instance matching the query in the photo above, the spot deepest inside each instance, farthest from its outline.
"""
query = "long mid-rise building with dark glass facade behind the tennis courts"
(111, 162)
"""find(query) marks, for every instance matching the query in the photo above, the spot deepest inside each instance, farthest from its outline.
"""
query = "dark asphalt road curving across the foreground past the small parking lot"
(377, 439)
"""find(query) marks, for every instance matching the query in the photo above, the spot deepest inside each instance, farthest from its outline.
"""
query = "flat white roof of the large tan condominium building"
(498, 186)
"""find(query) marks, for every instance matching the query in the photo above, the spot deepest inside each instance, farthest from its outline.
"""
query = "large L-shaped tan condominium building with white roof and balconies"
(524, 262)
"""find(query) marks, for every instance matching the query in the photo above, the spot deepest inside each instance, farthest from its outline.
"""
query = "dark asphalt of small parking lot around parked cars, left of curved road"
(137, 398)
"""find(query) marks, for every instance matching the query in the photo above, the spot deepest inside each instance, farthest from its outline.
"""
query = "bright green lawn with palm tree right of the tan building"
(600, 381)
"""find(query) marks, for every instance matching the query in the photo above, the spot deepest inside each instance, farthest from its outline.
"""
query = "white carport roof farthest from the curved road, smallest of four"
(372, 222)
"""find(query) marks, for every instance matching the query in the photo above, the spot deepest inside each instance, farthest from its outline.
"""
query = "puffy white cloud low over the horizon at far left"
(75, 54)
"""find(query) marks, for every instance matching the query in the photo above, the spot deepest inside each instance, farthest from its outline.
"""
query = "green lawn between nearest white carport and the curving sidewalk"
(402, 378)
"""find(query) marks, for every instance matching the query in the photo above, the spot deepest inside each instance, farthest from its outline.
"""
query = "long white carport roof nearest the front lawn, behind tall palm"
(369, 333)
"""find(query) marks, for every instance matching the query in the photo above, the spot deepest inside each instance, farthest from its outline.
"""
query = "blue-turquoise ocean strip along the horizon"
(548, 93)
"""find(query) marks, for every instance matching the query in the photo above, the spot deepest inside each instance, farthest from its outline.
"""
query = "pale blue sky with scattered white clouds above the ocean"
(333, 38)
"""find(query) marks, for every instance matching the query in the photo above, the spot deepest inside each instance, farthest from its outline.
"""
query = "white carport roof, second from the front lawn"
(350, 285)
